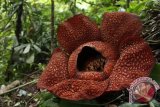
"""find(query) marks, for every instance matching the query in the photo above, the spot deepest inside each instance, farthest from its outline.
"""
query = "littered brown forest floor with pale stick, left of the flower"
(23, 93)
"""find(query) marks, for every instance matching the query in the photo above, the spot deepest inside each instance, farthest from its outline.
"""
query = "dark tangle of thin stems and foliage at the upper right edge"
(151, 32)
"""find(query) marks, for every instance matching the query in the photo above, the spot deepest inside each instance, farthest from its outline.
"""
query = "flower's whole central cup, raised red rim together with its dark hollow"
(92, 61)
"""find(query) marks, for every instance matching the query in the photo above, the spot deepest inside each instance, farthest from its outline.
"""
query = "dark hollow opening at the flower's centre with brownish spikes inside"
(90, 60)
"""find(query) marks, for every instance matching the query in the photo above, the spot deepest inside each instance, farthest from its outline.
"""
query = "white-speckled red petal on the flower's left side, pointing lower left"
(56, 70)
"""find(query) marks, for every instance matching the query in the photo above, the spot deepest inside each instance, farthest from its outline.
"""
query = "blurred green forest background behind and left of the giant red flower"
(28, 36)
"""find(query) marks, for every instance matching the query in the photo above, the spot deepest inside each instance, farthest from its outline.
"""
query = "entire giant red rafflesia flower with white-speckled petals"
(91, 60)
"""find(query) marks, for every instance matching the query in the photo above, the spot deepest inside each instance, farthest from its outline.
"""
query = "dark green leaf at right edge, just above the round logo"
(155, 74)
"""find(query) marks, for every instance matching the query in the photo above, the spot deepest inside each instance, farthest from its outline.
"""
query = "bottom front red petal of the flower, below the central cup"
(79, 89)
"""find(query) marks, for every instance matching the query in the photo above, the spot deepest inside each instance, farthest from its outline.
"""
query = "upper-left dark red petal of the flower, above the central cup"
(76, 31)
